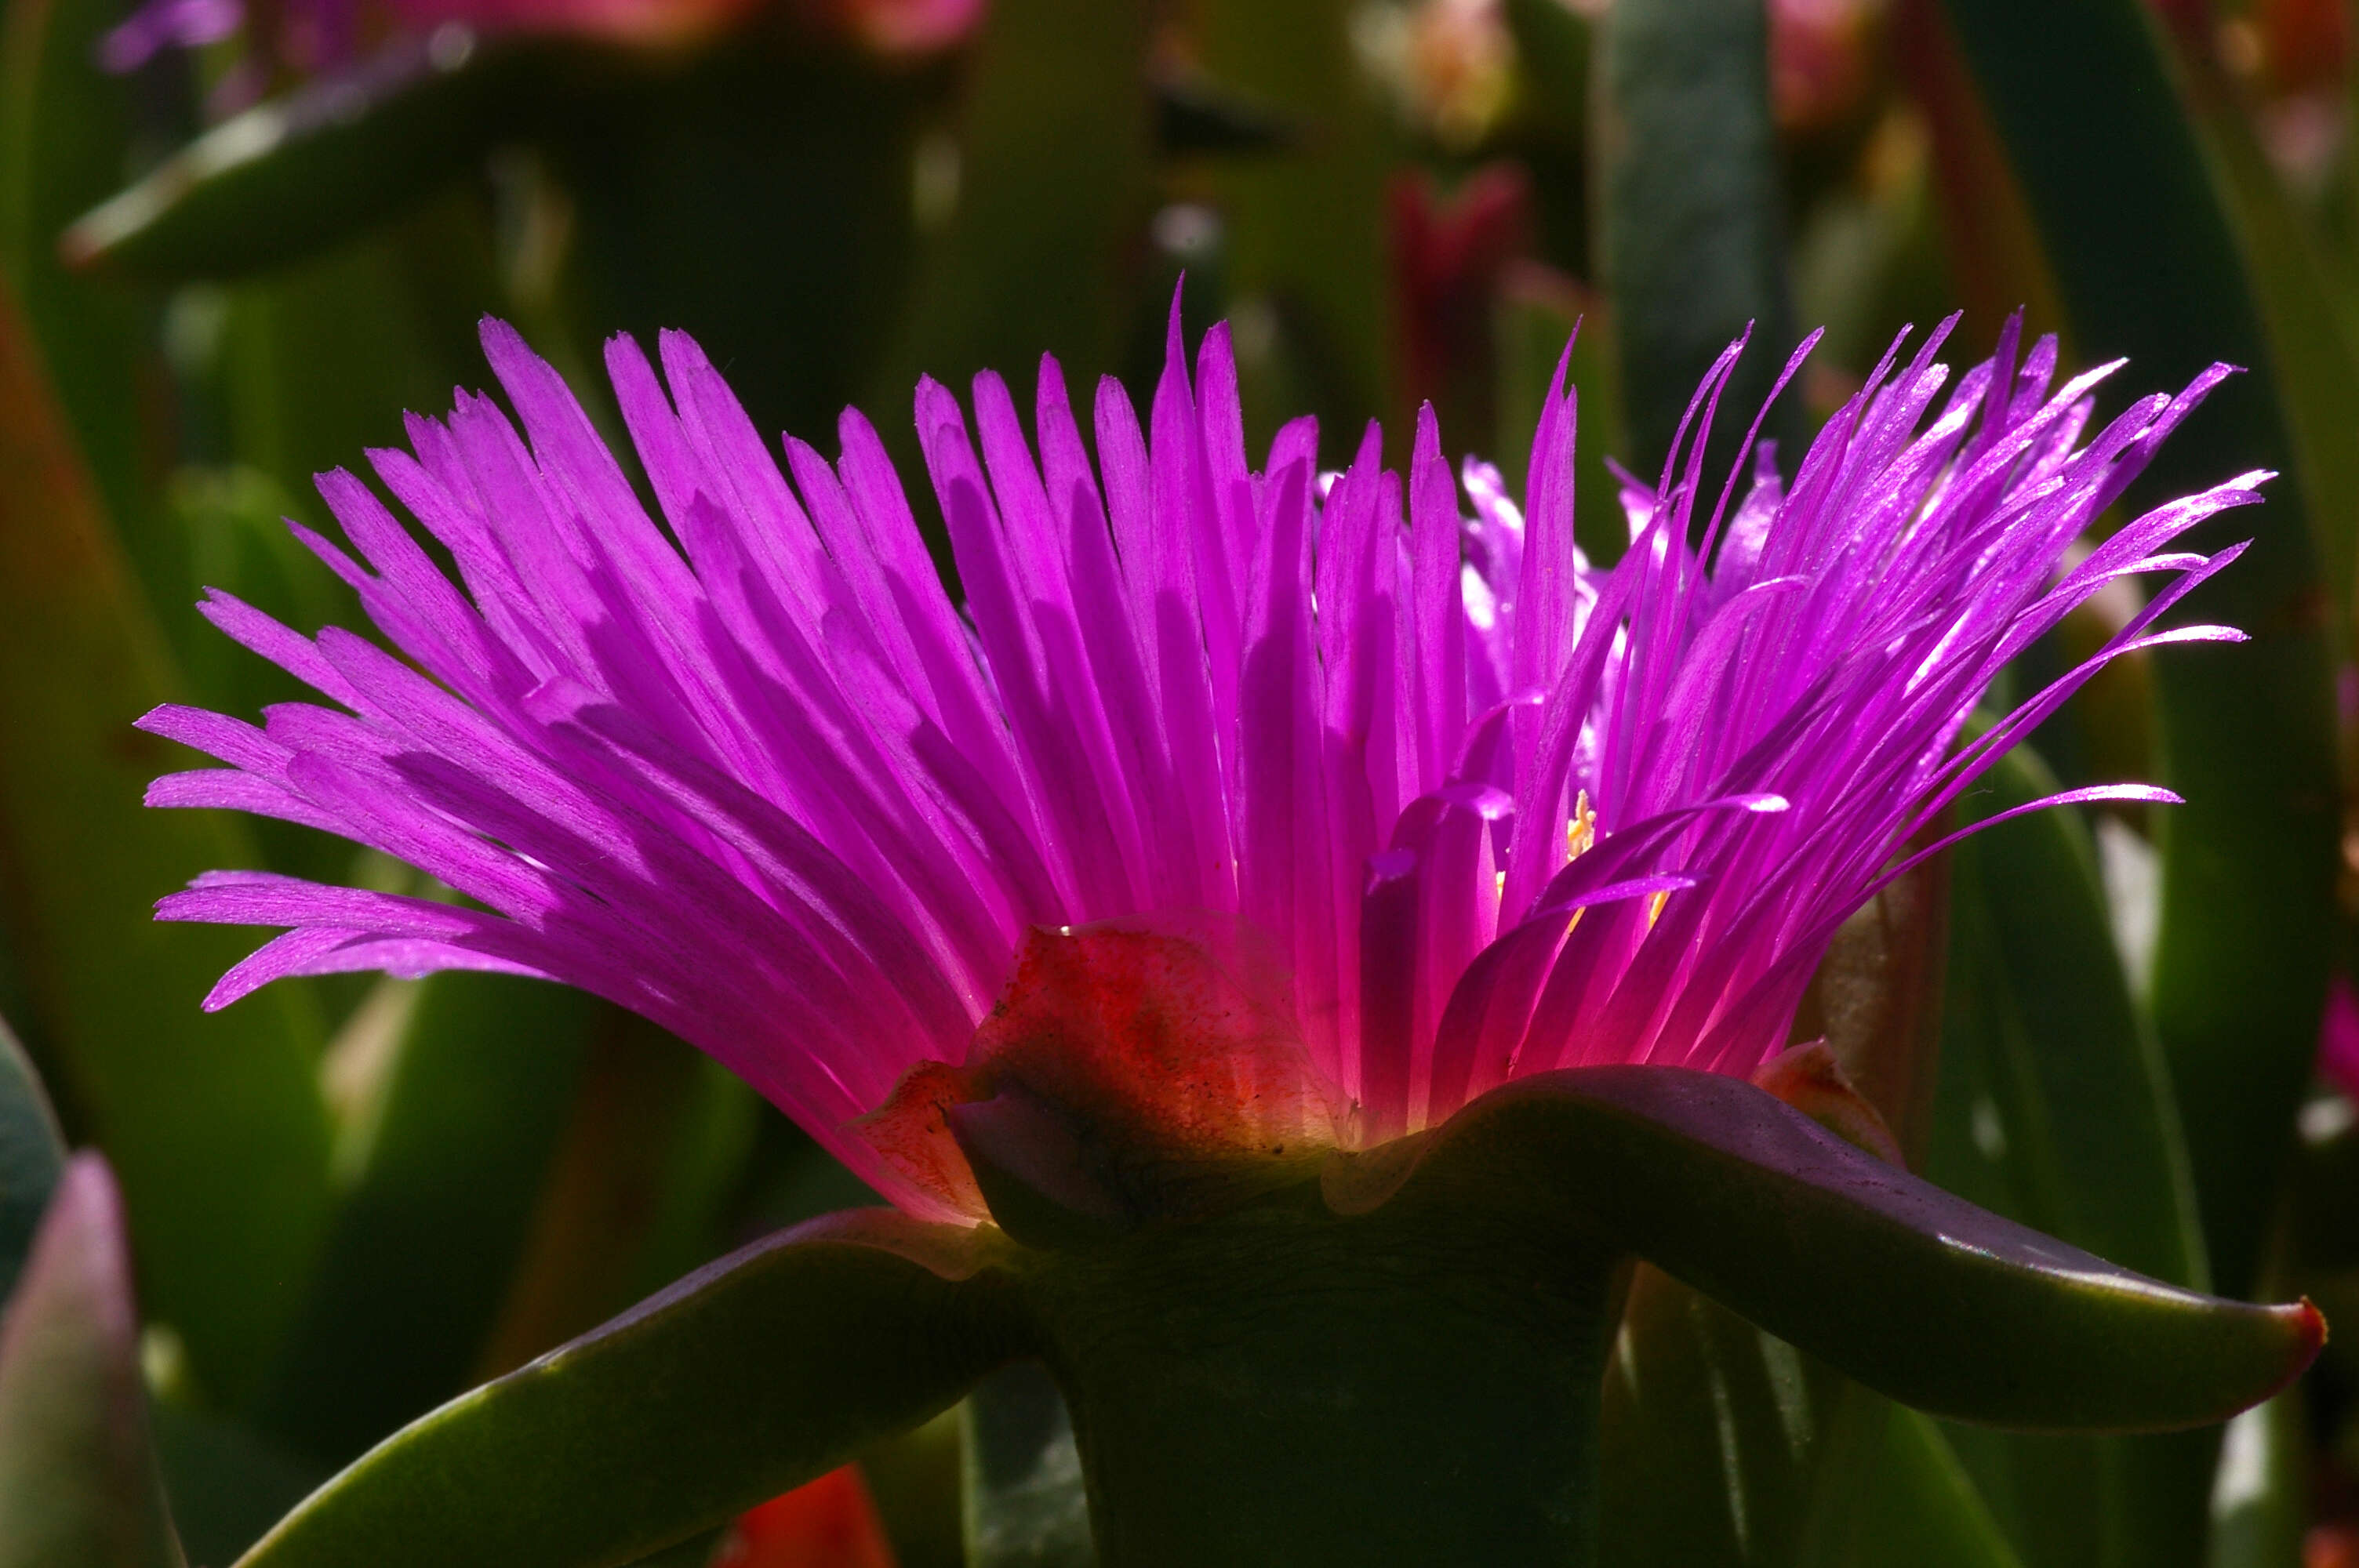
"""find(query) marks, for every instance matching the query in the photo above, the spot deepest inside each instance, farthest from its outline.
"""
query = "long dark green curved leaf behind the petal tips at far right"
(2150, 268)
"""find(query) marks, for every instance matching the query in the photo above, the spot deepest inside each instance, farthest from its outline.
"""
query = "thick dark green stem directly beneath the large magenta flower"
(1292, 1388)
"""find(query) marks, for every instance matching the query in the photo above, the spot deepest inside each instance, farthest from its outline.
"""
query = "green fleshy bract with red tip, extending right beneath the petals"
(1886, 1277)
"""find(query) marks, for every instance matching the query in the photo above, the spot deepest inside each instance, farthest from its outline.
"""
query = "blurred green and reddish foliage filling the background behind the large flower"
(239, 239)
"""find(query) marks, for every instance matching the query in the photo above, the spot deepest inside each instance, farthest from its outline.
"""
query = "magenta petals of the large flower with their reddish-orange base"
(1251, 805)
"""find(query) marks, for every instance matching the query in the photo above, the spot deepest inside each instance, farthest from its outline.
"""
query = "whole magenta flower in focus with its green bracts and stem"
(1320, 930)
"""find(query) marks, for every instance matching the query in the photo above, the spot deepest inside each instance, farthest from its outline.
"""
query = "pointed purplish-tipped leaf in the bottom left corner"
(77, 1470)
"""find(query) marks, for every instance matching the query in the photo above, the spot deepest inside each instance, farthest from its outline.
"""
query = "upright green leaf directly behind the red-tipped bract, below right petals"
(2056, 1109)
